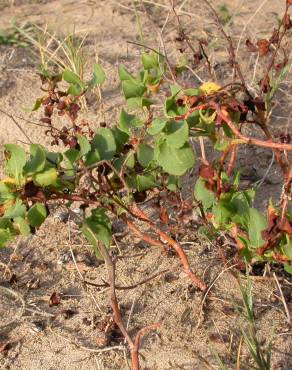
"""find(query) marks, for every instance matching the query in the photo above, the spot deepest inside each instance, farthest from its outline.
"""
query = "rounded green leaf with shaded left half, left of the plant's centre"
(104, 141)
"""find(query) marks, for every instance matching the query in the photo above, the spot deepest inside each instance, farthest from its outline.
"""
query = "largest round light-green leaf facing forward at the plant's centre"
(175, 161)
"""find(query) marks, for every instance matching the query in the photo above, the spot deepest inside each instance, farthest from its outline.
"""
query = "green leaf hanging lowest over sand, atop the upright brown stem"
(97, 228)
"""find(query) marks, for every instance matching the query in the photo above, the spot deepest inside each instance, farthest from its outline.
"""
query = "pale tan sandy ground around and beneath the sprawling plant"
(72, 335)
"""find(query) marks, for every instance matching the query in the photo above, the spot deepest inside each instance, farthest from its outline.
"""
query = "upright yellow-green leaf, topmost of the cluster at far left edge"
(16, 161)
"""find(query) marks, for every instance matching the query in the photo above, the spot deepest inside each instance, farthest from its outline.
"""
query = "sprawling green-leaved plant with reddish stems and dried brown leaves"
(113, 170)
